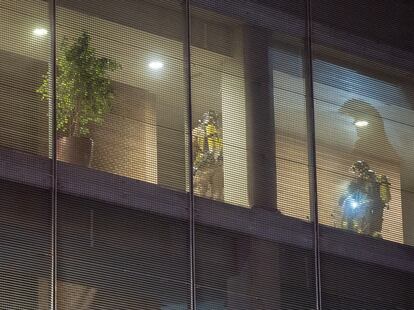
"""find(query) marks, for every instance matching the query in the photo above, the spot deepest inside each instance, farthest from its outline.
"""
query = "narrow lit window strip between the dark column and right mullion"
(291, 132)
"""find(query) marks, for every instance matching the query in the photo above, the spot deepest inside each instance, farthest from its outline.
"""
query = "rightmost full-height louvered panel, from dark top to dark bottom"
(364, 112)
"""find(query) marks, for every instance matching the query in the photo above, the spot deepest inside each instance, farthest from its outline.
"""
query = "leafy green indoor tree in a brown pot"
(83, 96)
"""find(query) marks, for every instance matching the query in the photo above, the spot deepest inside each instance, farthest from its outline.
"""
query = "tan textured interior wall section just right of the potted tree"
(126, 142)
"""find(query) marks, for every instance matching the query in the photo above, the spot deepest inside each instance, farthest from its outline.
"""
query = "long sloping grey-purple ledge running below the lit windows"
(91, 184)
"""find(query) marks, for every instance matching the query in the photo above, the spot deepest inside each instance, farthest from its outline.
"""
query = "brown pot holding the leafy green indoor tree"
(75, 150)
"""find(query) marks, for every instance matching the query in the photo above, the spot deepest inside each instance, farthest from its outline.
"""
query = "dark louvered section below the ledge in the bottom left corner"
(25, 261)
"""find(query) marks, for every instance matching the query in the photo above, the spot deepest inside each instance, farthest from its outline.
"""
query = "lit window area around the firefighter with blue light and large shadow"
(364, 122)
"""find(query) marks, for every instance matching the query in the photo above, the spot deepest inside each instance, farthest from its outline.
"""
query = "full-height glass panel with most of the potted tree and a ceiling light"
(124, 244)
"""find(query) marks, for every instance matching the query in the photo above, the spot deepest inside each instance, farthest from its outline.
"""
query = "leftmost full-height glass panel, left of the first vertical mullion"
(25, 217)
